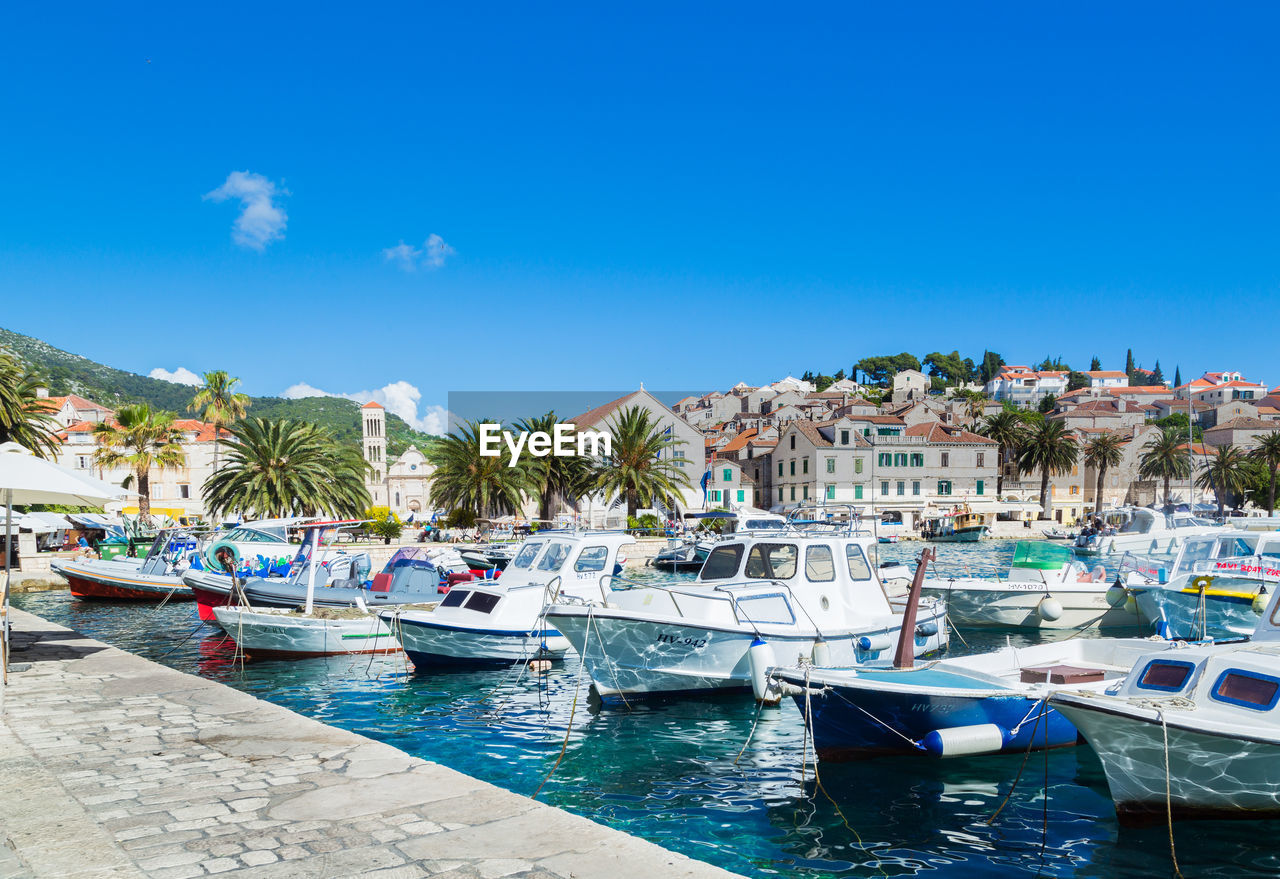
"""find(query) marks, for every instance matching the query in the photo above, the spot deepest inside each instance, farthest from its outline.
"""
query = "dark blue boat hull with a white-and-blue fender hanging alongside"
(843, 730)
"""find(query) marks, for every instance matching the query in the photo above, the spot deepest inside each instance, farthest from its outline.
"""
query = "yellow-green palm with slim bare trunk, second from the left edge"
(140, 439)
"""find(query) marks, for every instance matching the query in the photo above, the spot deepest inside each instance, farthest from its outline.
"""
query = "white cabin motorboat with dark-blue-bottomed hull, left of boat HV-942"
(502, 621)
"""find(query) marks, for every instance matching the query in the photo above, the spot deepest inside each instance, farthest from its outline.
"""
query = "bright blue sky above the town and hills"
(680, 195)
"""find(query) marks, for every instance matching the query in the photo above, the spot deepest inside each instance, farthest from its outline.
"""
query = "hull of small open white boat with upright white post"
(294, 637)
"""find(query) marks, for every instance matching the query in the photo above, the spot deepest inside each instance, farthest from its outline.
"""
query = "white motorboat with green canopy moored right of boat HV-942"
(1046, 588)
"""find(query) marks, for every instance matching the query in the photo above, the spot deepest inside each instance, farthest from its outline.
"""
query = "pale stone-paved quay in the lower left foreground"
(113, 767)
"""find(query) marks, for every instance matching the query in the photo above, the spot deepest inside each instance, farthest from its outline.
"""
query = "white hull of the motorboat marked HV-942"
(632, 657)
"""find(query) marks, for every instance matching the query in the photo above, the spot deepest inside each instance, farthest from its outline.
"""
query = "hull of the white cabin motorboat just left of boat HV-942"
(432, 644)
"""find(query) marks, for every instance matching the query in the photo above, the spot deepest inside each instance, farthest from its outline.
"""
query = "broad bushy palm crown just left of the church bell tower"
(287, 468)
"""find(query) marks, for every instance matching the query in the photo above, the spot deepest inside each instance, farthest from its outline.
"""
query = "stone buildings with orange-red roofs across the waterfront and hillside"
(903, 450)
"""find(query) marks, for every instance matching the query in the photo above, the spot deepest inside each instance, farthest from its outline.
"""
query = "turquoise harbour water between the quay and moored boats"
(671, 771)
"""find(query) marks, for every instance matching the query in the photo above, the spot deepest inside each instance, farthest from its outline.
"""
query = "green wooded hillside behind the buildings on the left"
(71, 374)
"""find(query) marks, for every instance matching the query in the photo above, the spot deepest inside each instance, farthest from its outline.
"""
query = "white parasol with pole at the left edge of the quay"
(26, 479)
